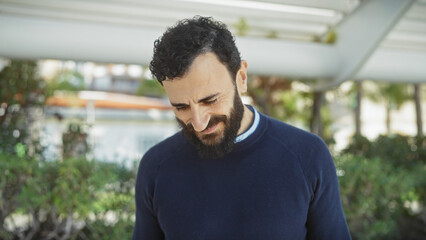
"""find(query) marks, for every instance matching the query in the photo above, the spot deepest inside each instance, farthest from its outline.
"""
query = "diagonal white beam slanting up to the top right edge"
(361, 33)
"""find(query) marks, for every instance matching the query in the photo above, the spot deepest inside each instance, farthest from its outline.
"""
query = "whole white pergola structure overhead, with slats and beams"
(382, 40)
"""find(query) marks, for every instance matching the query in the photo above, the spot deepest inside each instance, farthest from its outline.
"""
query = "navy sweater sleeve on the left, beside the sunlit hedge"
(146, 224)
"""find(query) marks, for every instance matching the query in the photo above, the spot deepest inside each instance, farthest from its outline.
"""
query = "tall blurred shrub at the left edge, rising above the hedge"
(22, 95)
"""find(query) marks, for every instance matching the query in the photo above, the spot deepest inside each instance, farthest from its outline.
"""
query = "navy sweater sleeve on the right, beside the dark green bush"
(326, 220)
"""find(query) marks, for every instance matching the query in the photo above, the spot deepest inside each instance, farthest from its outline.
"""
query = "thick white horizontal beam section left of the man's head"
(34, 38)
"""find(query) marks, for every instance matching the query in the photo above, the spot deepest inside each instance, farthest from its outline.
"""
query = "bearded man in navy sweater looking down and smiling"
(231, 173)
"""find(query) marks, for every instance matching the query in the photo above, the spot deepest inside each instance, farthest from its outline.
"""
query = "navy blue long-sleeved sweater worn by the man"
(279, 183)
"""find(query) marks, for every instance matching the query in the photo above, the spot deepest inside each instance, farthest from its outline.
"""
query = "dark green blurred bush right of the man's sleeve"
(385, 180)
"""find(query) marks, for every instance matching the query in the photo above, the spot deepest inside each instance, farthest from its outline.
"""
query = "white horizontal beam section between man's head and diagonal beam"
(287, 58)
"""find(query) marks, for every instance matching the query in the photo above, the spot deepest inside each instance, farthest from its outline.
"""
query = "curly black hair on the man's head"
(175, 51)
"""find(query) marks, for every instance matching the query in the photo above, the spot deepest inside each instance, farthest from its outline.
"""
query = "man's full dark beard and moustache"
(217, 145)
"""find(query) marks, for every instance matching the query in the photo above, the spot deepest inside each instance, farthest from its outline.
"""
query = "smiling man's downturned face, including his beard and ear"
(207, 105)
